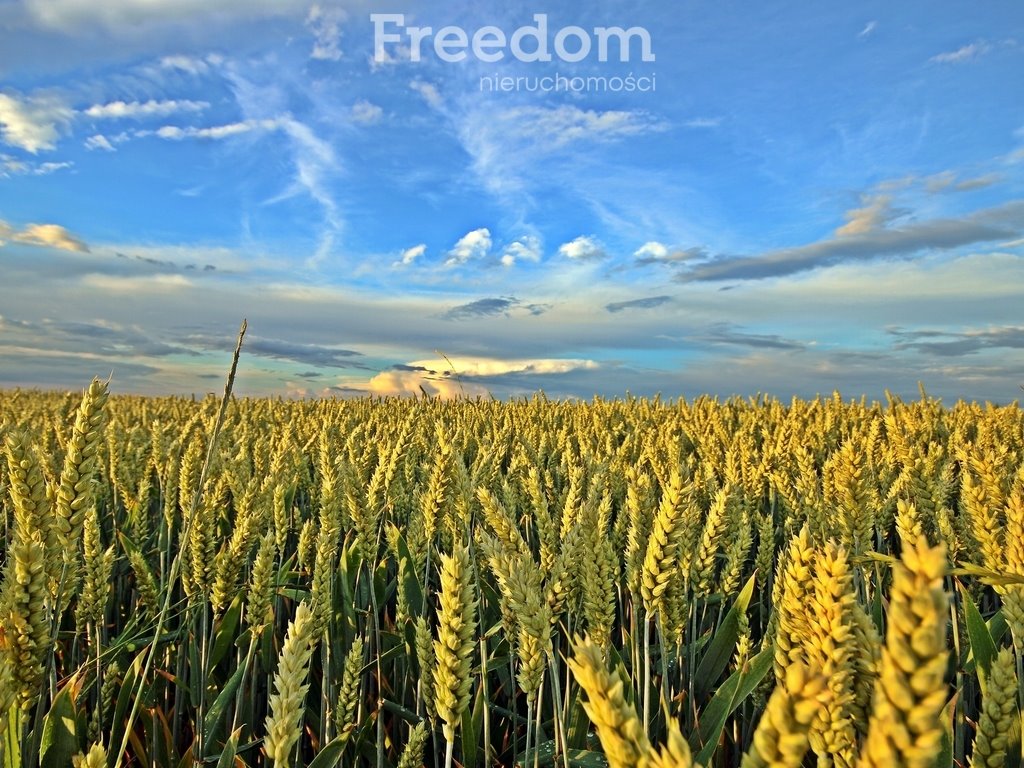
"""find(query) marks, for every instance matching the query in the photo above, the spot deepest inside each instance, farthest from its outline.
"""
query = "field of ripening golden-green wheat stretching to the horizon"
(404, 583)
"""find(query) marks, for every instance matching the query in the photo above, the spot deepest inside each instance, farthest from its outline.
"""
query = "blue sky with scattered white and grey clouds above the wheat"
(791, 198)
